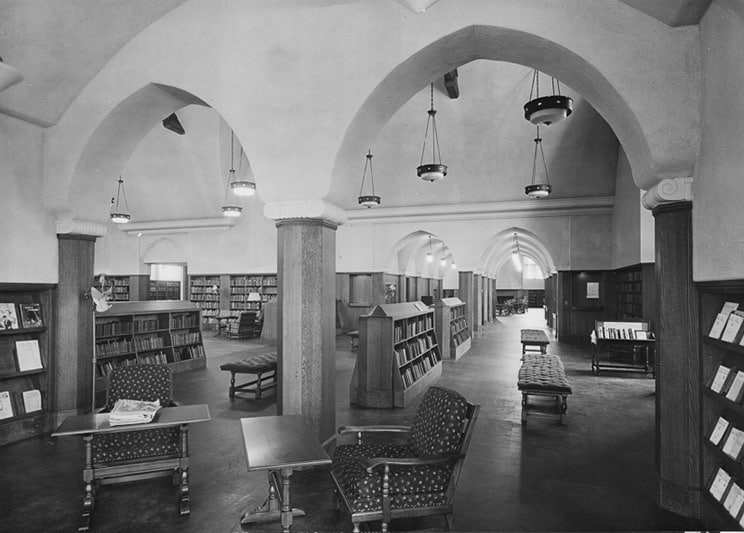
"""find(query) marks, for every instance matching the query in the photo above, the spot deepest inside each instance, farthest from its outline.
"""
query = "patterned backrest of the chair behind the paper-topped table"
(140, 382)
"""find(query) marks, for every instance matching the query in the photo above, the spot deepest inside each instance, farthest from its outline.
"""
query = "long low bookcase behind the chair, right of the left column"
(148, 332)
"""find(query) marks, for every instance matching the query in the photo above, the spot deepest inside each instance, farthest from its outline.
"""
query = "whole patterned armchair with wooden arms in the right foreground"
(416, 478)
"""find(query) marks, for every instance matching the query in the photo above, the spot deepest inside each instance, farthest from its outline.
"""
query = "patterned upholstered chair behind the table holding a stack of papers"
(123, 456)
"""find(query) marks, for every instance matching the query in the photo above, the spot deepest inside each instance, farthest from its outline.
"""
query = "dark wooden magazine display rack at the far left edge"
(25, 322)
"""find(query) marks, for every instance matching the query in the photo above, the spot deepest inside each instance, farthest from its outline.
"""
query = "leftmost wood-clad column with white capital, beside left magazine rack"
(74, 318)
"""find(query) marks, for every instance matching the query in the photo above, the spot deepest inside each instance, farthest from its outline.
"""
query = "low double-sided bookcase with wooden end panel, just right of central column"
(399, 356)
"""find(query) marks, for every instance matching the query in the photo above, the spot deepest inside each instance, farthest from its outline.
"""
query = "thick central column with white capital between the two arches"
(306, 264)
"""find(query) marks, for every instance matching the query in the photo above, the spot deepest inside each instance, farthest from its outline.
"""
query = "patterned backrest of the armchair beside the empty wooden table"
(440, 424)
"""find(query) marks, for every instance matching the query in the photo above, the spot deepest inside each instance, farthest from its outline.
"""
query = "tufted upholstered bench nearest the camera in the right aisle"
(543, 375)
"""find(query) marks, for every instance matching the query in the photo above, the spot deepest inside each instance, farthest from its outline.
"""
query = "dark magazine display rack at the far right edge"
(716, 404)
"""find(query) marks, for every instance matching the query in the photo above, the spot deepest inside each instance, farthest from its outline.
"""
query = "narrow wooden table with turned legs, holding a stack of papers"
(97, 423)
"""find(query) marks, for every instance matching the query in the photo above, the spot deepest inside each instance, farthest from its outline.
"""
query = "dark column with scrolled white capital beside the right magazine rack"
(678, 415)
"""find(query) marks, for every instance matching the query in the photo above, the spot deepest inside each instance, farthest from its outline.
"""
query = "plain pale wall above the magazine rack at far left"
(27, 240)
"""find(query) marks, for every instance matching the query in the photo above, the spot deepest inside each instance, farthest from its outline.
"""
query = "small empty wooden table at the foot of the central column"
(279, 444)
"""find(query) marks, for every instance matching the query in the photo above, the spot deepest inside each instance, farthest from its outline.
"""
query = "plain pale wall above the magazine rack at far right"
(718, 191)
